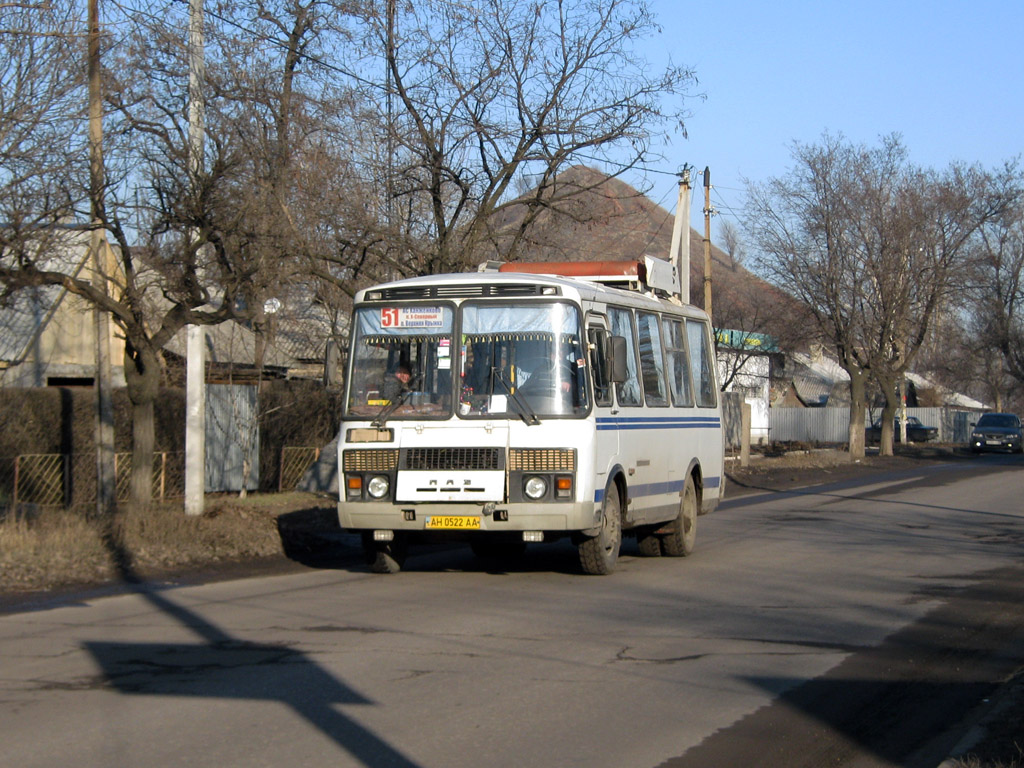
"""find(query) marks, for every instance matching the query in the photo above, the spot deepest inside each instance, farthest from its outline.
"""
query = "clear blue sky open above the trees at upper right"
(948, 76)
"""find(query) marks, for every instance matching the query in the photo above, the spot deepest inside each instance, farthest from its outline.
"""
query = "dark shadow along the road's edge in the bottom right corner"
(908, 702)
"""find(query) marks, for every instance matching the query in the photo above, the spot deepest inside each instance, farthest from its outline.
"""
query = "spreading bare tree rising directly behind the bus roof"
(473, 98)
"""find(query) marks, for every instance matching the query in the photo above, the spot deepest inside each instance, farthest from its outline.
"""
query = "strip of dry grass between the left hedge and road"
(56, 548)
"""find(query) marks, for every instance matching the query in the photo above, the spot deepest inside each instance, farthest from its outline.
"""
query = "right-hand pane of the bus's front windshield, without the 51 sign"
(519, 358)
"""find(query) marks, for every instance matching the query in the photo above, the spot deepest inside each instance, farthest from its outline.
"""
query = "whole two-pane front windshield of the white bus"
(518, 361)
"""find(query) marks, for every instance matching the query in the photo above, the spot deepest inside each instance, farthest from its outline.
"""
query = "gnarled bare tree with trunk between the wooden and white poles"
(191, 248)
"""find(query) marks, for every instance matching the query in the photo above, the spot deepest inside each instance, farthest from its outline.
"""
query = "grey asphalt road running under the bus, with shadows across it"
(856, 625)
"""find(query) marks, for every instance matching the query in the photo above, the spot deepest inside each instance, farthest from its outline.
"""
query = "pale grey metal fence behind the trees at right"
(832, 425)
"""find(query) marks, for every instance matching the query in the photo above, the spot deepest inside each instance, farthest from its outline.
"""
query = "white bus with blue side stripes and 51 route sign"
(526, 404)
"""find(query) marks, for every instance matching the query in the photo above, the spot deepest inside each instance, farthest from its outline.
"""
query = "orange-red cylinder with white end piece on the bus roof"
(649, 274)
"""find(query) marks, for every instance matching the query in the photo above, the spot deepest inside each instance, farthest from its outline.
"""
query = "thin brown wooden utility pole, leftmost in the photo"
(104, 434)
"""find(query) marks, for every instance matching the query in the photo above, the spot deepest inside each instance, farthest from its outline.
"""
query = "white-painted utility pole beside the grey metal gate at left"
(196, 348)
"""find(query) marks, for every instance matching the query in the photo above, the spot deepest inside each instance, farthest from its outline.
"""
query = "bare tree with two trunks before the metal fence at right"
(874, 246)
